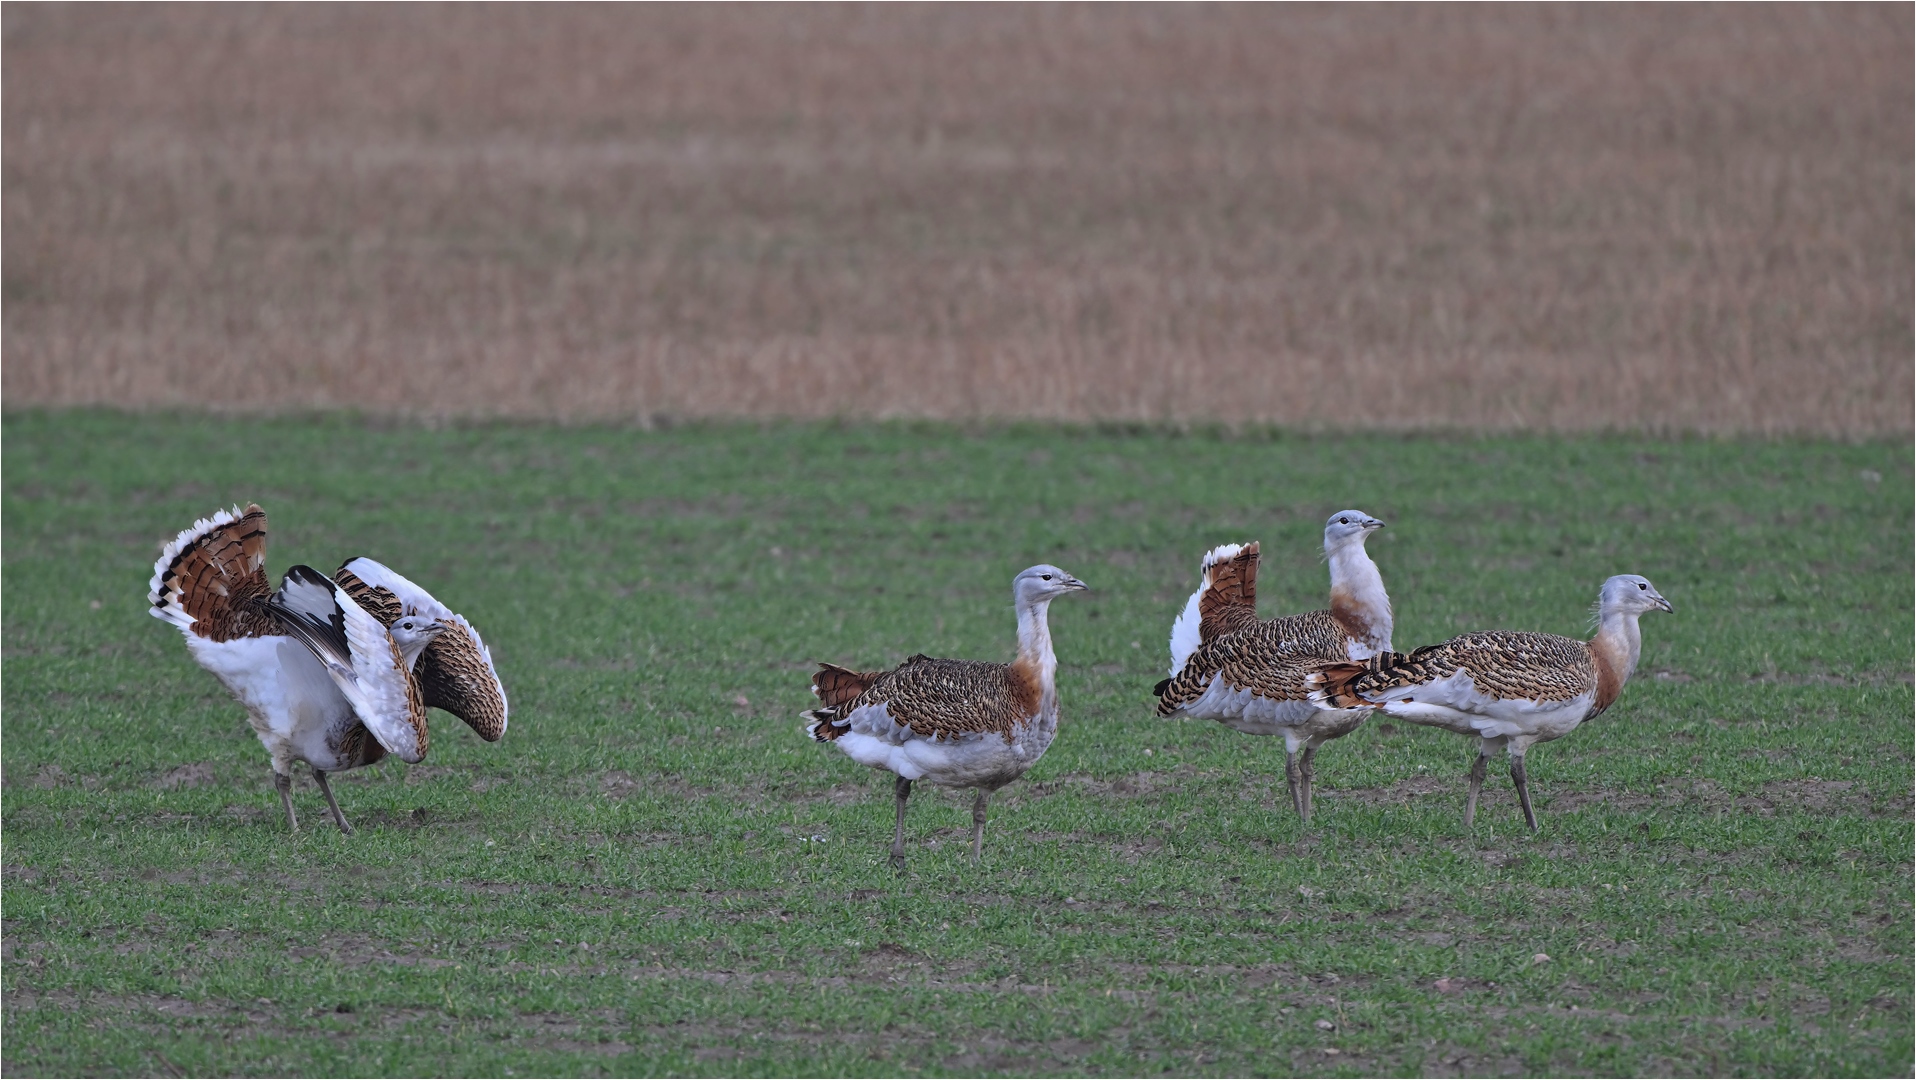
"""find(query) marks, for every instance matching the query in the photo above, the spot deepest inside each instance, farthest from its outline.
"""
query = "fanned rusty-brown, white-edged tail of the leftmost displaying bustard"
(221, 579)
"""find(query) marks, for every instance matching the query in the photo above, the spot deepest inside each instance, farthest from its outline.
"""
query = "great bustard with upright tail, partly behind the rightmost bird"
(1250, 675)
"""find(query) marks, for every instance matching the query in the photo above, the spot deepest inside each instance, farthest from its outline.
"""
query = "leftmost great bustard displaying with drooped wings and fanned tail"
(334, 673)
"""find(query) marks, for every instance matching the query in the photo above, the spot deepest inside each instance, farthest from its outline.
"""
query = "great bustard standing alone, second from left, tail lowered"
(951, 723)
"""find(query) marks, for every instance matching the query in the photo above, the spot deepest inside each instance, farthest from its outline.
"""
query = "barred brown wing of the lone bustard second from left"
(938, 698)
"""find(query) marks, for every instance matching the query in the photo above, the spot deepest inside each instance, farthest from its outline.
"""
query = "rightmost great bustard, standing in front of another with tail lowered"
(1507, 690)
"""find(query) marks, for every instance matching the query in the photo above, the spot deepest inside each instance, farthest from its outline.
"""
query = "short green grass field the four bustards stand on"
(654, 872)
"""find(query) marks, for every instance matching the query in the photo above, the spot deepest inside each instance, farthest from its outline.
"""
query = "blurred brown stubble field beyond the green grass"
(1662, 219)
